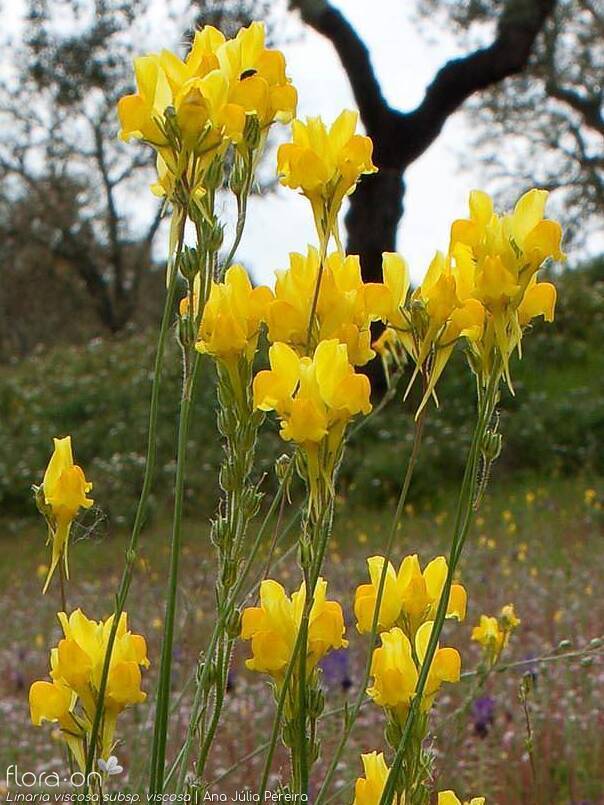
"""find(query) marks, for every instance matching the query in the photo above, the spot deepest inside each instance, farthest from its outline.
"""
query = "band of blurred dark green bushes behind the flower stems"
(100, 392)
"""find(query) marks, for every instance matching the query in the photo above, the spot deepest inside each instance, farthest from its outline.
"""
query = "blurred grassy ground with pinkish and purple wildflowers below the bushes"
(543, 555)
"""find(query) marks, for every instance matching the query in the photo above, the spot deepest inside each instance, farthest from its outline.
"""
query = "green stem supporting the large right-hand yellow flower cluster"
(462, 523)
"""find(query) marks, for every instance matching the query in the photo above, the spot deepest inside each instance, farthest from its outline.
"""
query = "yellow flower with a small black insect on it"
(257, 80)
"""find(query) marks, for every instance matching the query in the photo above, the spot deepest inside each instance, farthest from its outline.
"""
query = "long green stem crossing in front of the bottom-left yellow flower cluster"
(141, 510)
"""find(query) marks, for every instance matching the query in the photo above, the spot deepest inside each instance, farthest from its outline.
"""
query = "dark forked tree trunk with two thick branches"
(401, 137)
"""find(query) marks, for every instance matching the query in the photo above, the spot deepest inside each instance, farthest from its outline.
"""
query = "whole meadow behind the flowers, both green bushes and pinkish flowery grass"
(535, 543)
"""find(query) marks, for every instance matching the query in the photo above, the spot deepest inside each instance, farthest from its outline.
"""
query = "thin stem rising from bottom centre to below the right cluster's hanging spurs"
(354, 711)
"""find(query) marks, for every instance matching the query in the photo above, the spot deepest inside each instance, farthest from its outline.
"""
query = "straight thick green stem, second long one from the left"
(165, 671)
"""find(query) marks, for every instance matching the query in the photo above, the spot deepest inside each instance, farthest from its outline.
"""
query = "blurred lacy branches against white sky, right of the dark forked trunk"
(545, 126)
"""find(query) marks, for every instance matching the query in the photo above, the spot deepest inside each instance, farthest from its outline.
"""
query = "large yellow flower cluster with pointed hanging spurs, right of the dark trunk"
(484, 291)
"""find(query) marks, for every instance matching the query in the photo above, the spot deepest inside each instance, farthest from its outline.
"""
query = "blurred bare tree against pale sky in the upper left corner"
(66, 184)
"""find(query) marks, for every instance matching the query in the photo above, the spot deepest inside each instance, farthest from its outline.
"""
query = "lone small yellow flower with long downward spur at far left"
(64, 491)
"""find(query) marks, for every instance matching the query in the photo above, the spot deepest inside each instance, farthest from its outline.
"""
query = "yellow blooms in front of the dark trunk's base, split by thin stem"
(345, 308)
